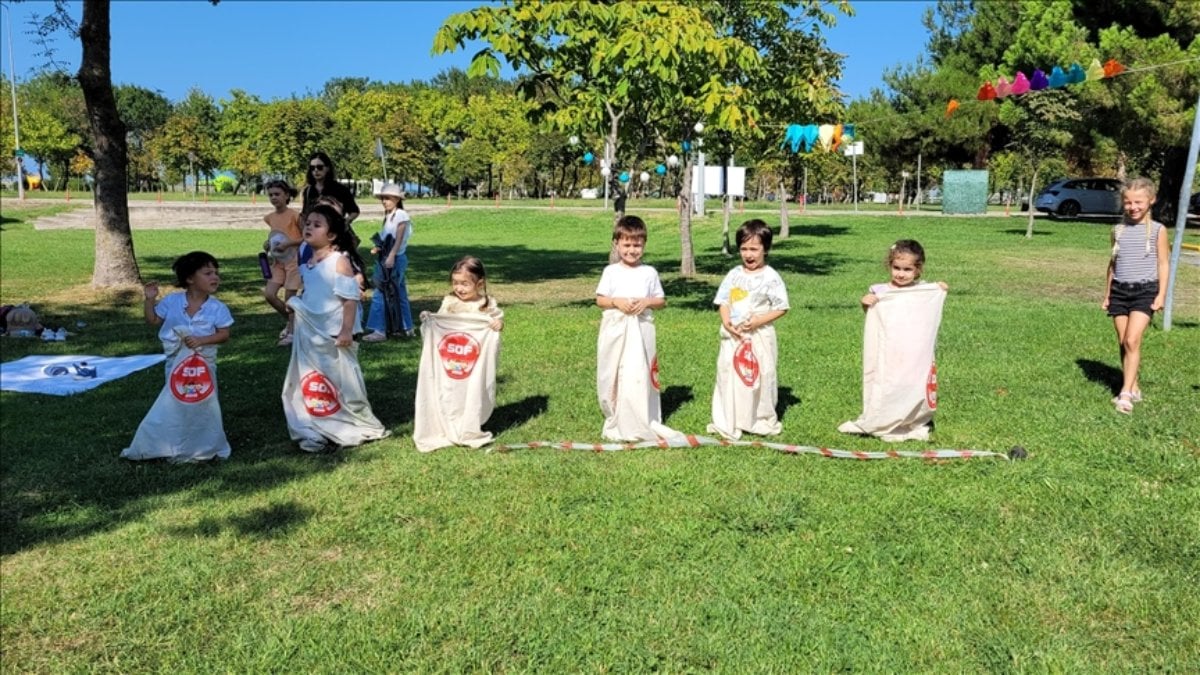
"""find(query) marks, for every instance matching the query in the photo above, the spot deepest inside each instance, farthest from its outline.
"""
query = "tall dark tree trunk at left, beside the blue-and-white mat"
(116, 264)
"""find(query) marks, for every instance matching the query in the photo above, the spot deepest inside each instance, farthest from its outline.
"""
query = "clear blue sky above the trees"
(277, 50)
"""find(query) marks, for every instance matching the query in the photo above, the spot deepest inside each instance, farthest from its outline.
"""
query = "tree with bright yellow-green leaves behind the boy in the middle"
(592, 65)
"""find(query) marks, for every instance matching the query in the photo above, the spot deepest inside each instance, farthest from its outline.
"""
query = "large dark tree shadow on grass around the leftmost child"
(63, 479)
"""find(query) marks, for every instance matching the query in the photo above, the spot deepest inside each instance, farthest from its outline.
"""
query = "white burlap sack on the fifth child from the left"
(747, 386)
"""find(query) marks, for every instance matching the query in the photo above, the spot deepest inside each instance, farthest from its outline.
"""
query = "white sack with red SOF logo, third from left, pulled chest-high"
(455, 381)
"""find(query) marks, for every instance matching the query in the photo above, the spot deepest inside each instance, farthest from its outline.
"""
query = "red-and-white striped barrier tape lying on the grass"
(692, 441)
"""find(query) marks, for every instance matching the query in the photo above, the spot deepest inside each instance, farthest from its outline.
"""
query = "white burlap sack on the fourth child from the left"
(628, 379)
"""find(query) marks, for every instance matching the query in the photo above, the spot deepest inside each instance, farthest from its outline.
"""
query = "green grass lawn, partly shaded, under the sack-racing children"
(1084, 558)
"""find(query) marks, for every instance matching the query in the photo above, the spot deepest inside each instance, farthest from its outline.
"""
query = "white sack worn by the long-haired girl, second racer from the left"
(325, 397)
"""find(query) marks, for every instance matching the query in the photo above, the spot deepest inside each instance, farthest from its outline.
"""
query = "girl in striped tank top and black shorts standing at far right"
(1132, 289)
